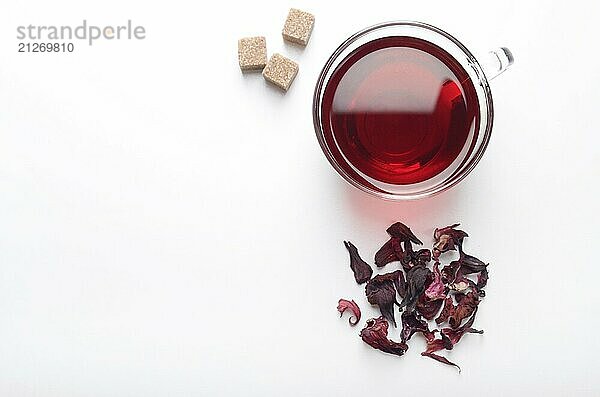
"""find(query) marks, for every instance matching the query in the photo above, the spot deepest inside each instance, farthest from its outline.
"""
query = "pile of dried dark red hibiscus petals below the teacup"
(448, 293)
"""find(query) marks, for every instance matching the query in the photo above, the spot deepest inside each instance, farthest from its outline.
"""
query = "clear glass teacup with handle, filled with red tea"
(403, 110)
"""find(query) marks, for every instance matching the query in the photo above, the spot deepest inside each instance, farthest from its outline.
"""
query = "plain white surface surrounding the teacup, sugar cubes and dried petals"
(170, 227)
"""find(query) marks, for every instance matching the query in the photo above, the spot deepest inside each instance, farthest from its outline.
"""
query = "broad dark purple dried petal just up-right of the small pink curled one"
(381, 291)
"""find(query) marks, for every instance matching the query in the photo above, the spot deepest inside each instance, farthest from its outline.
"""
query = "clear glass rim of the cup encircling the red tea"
(440, 187)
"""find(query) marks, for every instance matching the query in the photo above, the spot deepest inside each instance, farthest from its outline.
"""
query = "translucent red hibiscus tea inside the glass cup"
(399, 110)
